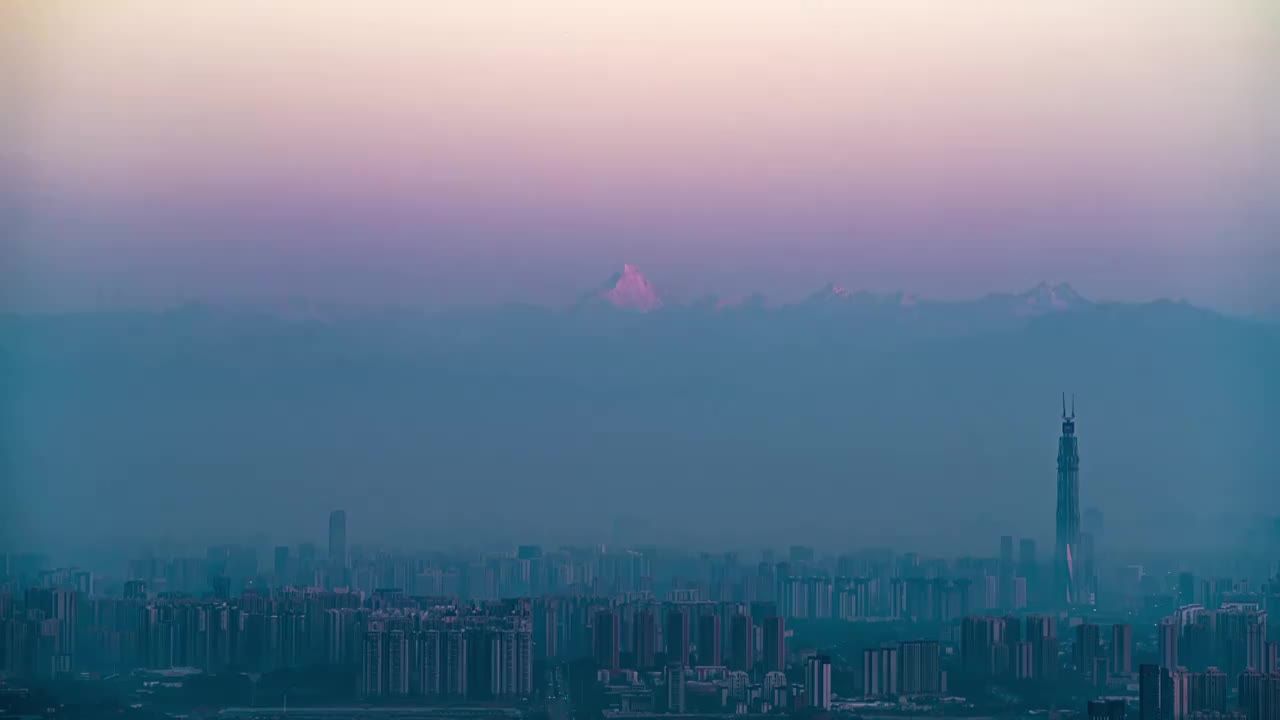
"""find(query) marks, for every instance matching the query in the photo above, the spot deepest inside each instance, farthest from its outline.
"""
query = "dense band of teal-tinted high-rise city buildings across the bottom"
(653, 631)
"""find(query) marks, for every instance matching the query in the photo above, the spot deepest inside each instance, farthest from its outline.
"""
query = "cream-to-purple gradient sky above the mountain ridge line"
(484, 151)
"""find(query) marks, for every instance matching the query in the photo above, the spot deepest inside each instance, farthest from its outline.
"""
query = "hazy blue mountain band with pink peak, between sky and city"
(843, 420)
